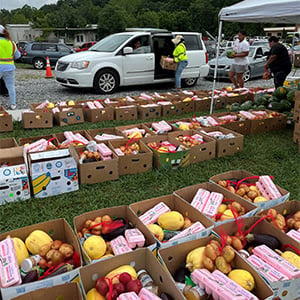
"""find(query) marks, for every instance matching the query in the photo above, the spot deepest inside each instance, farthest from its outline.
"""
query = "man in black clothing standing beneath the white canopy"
(279, 61)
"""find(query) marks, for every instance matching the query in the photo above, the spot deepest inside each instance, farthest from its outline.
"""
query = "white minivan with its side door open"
(115, 61)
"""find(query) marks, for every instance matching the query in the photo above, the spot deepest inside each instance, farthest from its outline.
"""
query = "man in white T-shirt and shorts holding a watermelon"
(240, 60)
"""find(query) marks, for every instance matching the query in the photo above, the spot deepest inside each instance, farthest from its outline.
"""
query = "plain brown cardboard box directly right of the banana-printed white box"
(98, 171)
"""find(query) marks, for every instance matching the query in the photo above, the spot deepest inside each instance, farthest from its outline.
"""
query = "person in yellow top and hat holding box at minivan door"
(180, 57)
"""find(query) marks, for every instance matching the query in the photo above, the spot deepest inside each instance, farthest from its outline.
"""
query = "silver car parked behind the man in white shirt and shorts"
(257, 58)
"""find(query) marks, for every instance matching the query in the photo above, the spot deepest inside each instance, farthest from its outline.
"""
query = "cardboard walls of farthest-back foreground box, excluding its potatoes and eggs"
(241, 174)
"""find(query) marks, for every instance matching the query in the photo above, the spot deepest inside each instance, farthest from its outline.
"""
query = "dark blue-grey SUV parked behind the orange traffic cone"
(36, 53)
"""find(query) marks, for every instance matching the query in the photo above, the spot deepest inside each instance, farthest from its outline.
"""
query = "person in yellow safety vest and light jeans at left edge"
(8, 52)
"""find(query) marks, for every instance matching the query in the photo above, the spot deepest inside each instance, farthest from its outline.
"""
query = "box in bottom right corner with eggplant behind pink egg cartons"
(273, 254)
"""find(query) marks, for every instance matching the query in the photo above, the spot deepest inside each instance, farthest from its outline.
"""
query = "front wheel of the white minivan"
(106, 82)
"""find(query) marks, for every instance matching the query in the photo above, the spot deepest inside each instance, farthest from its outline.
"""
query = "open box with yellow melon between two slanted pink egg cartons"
(172, 220)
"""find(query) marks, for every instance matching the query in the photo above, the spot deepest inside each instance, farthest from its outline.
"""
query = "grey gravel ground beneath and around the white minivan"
(33, 87)
